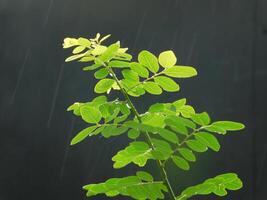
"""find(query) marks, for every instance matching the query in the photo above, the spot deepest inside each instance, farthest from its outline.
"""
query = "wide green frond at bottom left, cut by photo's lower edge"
(132, 186)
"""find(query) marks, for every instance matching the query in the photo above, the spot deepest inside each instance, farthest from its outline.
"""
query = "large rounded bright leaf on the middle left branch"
(90, 114)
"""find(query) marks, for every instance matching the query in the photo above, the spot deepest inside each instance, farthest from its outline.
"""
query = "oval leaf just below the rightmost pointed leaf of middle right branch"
(208, 140)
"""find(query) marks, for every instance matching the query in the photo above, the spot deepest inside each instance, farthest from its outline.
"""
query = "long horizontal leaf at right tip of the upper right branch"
(180, 71)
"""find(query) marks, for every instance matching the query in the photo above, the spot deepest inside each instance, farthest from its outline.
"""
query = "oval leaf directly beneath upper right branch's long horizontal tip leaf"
(167, 83)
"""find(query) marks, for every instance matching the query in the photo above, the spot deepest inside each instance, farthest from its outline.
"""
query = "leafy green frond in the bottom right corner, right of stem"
(217, 185)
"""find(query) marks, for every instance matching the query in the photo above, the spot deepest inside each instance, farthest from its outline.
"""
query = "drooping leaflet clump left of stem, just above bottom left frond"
(136, 152)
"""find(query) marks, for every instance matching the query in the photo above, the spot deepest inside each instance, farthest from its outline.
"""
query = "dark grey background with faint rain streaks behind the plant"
(226, 41)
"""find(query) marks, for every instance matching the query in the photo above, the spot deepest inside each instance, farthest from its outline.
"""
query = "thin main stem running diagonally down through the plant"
(147, 136)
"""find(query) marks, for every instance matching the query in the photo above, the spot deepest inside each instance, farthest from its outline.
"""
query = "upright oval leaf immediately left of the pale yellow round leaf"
(149, 60)
